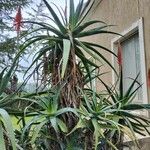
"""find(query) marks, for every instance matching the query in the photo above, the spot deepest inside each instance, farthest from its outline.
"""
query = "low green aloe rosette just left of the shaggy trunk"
(46, 116)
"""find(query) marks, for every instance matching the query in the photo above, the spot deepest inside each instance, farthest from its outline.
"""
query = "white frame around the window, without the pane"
(137, 26)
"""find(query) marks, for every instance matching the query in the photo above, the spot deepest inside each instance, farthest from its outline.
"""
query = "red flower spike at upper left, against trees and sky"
(18, 20)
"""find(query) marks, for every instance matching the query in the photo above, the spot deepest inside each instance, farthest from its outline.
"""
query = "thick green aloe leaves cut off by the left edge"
(6, 129)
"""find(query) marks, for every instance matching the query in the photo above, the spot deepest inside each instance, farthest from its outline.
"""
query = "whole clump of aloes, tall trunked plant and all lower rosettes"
(69, 114)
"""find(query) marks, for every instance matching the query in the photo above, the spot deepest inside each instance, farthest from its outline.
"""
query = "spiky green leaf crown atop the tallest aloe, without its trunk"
(69, 28)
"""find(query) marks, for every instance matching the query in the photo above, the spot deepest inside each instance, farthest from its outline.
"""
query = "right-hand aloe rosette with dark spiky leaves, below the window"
(122, 104)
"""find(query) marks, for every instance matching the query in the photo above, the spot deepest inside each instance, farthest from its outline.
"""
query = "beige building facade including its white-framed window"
(131, 19)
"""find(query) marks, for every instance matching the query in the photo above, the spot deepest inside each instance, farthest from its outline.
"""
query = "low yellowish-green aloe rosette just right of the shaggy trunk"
(96, 120)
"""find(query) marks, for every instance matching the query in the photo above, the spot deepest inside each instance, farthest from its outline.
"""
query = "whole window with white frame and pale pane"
(133, 53)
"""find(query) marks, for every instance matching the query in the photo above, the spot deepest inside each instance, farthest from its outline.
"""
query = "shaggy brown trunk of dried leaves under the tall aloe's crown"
(70, 93)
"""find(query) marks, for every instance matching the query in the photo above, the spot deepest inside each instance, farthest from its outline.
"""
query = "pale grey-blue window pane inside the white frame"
(131, 63)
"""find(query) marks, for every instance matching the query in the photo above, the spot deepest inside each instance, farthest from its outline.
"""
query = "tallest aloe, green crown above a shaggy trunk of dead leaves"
(61, 48)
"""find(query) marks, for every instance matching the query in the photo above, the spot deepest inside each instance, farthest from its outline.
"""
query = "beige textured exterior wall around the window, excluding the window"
(122, 13)
